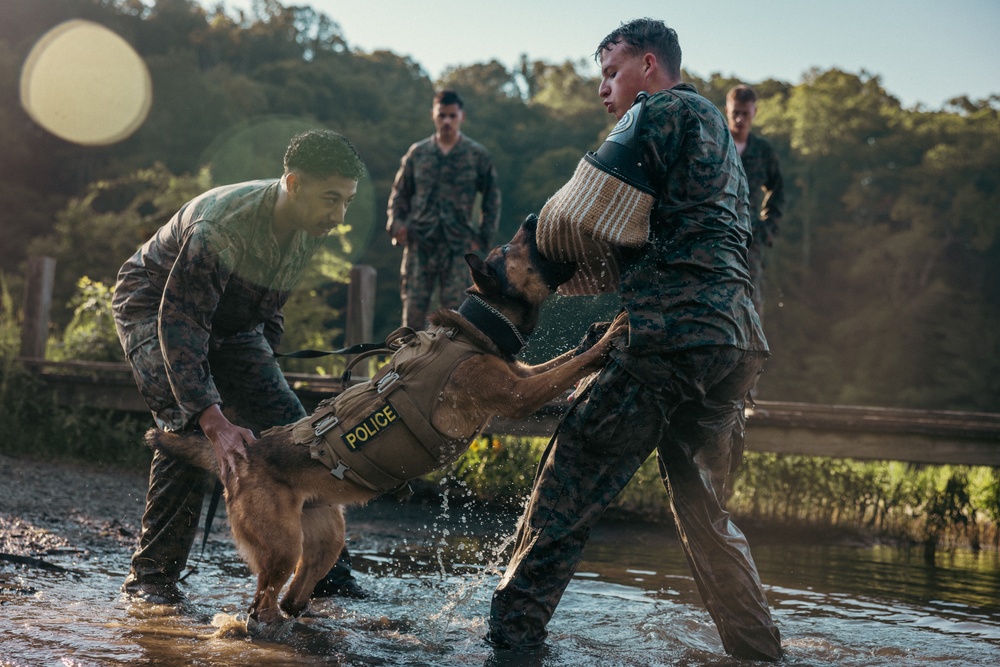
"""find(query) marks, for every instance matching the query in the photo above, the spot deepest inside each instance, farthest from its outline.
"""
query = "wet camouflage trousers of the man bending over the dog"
(253, 387)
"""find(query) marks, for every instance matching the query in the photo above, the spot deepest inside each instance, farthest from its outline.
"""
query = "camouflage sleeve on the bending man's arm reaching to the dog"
(190, 298)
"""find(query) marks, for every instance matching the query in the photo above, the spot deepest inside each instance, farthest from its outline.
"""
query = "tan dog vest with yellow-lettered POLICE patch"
(378, 434)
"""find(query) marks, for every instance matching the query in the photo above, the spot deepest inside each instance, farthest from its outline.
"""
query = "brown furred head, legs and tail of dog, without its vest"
(286, 508)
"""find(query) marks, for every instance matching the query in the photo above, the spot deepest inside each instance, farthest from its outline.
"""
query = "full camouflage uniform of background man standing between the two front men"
(433, 196)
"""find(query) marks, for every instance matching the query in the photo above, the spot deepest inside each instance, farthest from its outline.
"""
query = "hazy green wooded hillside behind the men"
(882, 288)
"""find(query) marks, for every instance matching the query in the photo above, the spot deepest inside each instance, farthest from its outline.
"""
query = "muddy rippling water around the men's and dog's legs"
(432, 570)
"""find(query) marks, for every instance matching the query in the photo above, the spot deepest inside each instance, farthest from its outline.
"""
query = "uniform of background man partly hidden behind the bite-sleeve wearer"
(767, 196)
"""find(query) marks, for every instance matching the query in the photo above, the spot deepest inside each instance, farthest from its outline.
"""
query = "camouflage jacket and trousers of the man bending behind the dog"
(198, 310)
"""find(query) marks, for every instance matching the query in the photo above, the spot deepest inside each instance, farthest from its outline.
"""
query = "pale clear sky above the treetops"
(924, 51)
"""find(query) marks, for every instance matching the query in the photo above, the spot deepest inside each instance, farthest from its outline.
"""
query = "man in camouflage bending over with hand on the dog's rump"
(198, 310)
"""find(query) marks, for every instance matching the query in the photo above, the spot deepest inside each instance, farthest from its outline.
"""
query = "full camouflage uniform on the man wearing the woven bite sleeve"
(678, 387)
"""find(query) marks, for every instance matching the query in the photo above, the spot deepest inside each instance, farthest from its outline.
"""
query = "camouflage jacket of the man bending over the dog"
(213, 271)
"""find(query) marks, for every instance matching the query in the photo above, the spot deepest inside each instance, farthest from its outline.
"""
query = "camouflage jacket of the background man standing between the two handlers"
(434, 193)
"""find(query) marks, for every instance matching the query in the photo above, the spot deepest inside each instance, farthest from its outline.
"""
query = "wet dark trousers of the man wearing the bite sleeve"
(692, 416)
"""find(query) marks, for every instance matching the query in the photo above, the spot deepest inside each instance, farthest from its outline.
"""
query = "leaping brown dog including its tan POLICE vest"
(285, 506)
